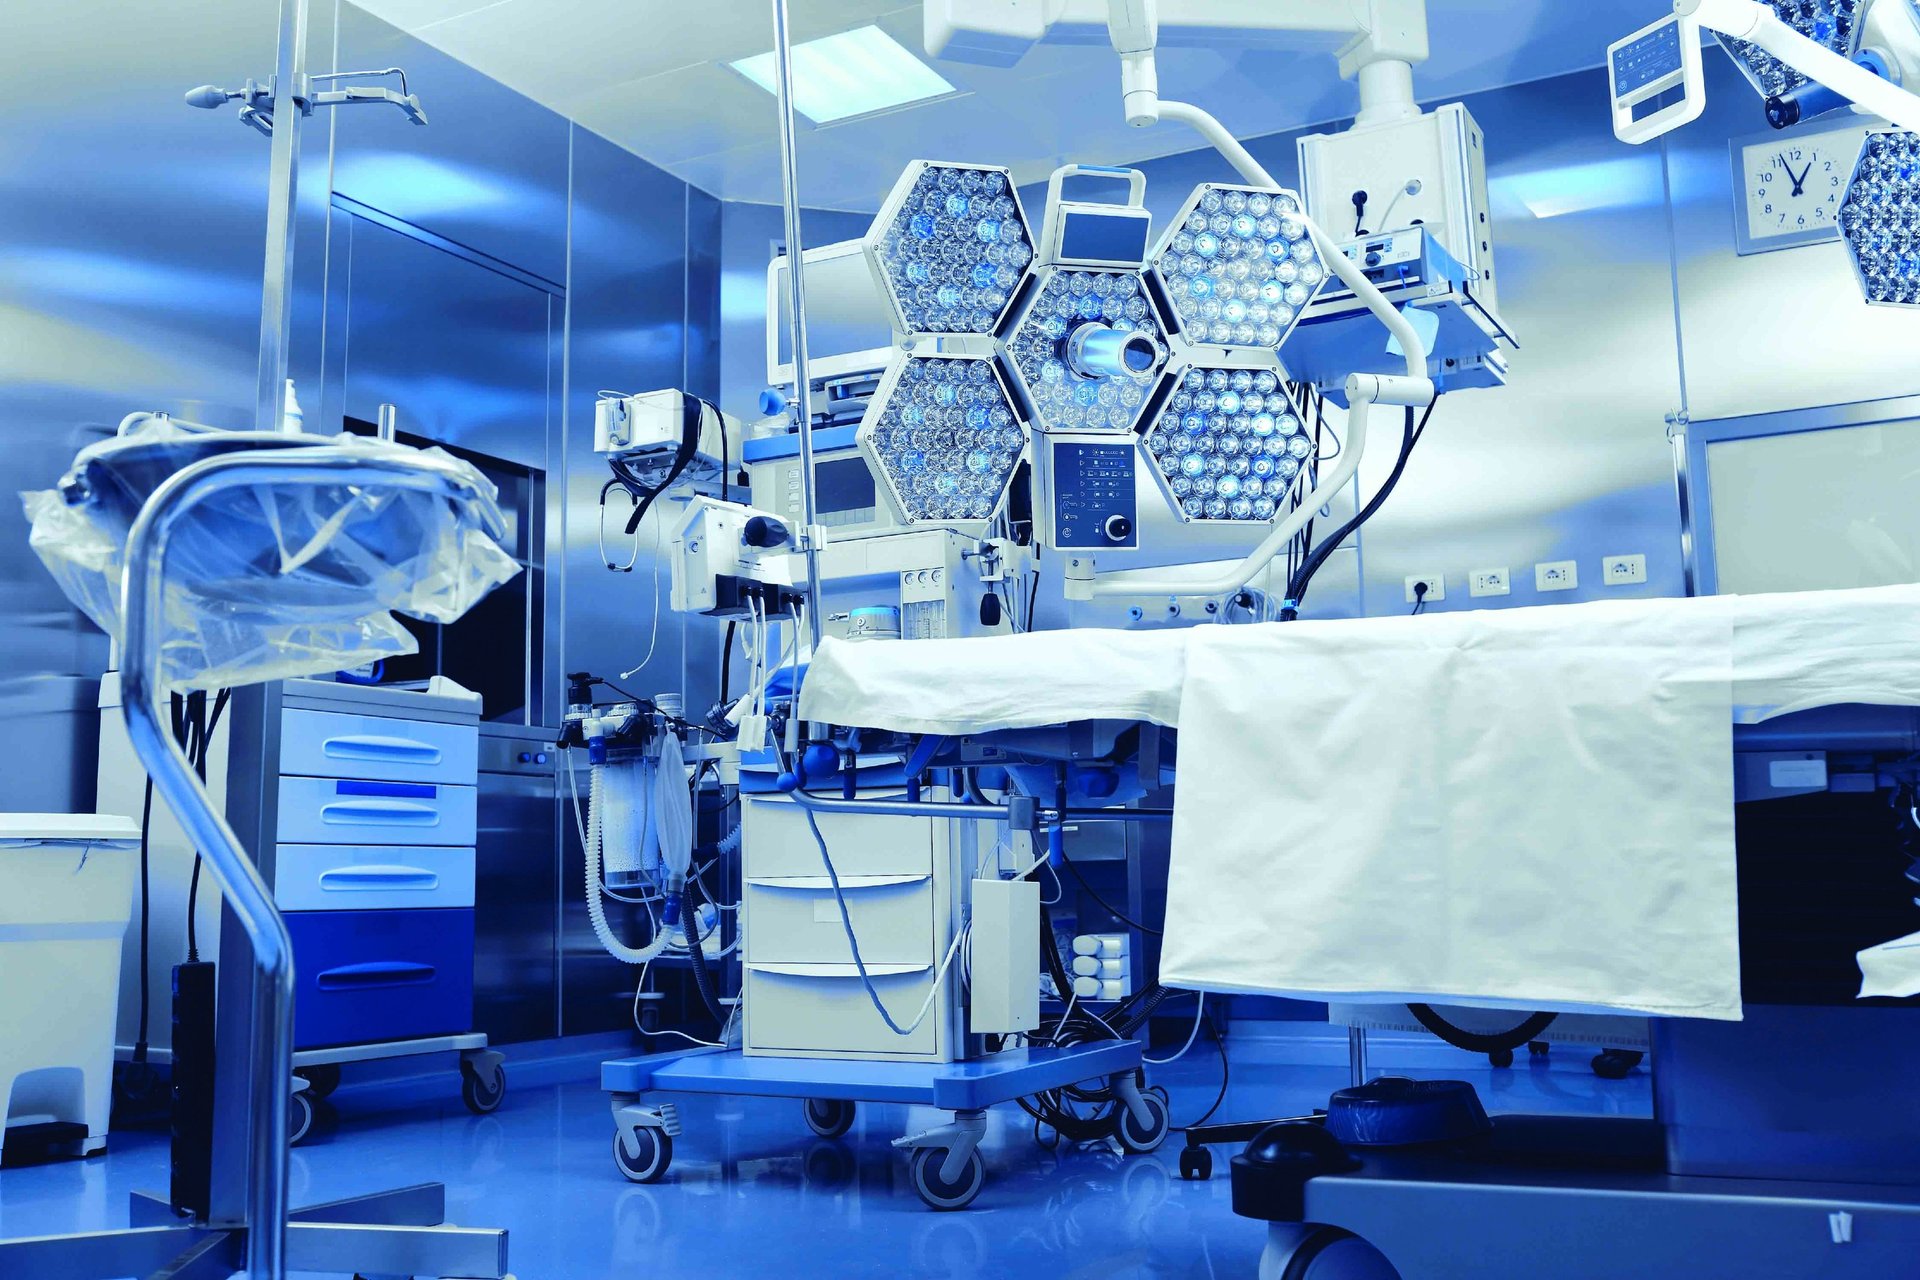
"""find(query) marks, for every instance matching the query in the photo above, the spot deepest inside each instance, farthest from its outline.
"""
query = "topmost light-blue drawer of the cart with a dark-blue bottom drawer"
(408, 751)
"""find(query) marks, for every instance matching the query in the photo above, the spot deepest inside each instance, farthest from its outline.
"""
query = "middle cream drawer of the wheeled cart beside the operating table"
(796, 920)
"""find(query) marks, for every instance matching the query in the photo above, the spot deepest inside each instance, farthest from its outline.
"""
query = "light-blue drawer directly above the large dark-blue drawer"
(372, 878)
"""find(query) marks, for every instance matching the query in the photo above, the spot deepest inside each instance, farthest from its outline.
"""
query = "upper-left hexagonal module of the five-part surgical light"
(951, 247)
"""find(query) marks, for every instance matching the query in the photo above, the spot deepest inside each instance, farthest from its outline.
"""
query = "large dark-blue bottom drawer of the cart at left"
(381, 976)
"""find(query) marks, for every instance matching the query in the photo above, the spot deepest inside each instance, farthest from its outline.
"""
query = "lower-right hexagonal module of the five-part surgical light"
(1230, 444)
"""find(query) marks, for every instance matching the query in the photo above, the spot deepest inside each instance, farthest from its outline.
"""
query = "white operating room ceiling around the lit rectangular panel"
(652, 76)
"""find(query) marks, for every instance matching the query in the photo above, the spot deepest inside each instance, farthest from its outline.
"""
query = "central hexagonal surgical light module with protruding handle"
(1088, 348)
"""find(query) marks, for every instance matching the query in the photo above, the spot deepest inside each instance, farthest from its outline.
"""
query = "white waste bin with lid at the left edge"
(66, 899)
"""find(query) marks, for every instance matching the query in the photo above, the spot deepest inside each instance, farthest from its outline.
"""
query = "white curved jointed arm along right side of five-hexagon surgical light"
(1364, 391)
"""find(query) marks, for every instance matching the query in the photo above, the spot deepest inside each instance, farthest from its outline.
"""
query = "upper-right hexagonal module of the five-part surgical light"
(1239, 268)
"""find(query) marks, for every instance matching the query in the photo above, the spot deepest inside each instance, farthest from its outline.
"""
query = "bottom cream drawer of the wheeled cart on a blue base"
(825, 1010)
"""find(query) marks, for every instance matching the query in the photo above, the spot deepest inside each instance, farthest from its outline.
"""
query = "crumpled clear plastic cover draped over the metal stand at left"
(268, 582)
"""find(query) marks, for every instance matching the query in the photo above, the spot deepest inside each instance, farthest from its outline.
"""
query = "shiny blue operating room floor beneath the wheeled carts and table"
(752, 1193)
